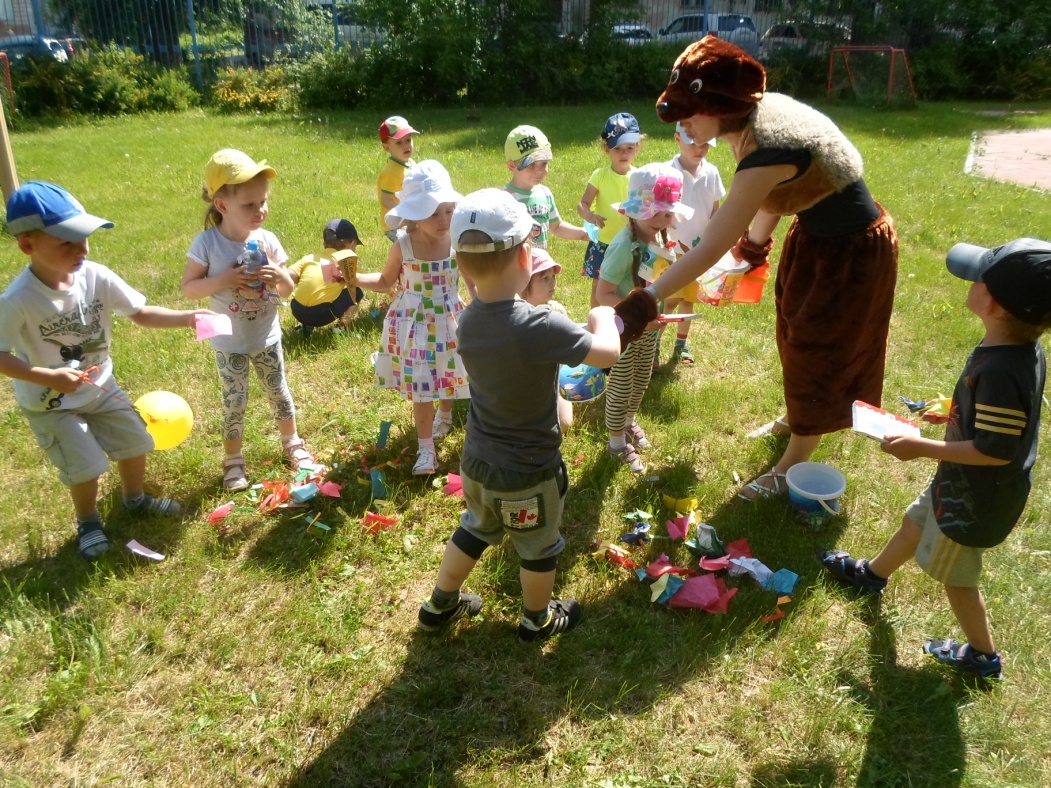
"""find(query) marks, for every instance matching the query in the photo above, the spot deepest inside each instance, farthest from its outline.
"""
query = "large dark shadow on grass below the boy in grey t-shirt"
(449, 710)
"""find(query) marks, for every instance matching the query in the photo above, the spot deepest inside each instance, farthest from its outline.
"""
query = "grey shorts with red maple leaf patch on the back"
(527, 507)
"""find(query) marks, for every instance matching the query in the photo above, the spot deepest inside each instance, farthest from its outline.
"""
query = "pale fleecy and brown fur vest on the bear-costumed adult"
(782, 122)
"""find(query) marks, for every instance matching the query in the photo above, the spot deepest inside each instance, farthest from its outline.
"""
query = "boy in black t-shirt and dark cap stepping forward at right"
(983, 481)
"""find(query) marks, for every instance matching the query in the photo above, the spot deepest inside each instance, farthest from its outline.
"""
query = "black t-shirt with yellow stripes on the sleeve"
(997, 404)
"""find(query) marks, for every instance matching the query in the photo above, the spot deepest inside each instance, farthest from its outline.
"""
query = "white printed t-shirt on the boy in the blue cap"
(52, 328)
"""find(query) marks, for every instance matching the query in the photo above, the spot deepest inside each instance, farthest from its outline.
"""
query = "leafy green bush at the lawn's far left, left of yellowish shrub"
(110, 81)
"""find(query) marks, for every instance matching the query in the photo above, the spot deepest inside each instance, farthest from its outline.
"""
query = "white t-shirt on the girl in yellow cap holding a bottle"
(255, 318)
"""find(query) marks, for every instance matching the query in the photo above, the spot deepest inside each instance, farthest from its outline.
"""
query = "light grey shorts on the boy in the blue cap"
(80, 444)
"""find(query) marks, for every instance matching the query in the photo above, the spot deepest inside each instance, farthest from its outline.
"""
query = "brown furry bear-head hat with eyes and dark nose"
(714, 78)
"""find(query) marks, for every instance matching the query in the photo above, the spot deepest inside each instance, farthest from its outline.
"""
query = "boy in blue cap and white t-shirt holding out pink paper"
(56, 326)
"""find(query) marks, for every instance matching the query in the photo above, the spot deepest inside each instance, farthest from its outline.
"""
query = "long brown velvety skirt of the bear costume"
(834, 299)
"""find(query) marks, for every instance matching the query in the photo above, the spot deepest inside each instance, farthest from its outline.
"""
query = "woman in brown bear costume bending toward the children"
(836, 280)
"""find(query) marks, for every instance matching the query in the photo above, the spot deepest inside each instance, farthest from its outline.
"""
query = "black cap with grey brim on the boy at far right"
(1018, 275)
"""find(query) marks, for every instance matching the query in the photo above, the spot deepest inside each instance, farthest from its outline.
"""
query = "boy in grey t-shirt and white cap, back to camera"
(514, 479)
